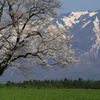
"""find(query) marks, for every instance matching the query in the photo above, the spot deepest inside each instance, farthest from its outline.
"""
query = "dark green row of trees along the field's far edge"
(88, 84)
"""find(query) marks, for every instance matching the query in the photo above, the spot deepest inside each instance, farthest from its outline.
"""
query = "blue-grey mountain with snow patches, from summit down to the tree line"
(84, 29)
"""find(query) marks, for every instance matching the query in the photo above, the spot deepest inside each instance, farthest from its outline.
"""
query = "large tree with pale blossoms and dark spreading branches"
(26, 32)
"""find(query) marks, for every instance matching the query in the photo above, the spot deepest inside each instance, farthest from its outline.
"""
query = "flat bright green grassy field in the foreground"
(48, 94)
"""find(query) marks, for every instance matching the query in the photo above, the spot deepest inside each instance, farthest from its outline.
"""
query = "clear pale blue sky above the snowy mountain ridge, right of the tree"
(80, 5)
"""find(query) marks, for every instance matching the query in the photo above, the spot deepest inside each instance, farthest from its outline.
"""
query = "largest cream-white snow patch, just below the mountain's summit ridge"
(75, 17)
